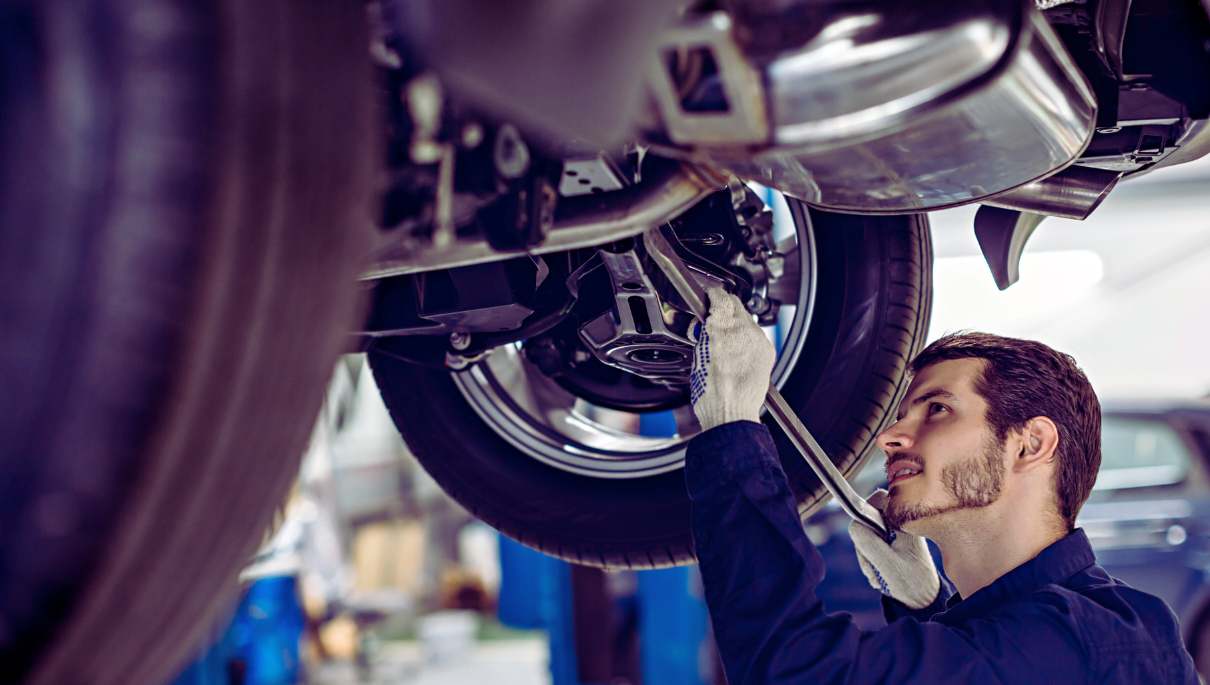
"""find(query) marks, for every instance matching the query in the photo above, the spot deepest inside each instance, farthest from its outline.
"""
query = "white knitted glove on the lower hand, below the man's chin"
(903, 569)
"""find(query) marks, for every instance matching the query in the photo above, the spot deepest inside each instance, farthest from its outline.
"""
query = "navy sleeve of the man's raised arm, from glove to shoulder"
(760, 573)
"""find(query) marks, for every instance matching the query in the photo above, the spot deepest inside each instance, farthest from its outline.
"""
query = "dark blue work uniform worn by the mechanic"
(1058, 618)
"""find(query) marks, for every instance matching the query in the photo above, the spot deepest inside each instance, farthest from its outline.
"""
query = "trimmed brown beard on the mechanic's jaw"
(972, 483)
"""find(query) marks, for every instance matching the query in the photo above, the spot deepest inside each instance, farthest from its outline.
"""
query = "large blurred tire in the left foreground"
(185, 187)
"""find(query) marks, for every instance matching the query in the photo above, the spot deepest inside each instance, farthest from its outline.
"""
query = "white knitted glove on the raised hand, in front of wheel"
(733, 365)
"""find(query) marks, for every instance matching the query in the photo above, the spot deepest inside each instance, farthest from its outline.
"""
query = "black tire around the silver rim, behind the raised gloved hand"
(871, 318)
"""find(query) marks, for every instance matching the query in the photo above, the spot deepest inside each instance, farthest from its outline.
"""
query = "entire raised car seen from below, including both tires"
(205, 204)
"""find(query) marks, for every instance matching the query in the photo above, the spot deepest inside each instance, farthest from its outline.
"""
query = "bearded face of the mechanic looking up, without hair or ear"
(942, 456)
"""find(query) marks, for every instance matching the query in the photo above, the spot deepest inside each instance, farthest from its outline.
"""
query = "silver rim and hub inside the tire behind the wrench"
(557, 401)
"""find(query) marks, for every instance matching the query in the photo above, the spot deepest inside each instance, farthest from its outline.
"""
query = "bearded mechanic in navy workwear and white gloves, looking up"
(995, 450)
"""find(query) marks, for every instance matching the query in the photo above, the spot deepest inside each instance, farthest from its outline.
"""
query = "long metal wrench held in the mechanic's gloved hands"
(688, 287)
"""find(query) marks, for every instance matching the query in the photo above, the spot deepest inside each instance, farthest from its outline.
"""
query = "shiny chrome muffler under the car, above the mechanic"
(874, 107)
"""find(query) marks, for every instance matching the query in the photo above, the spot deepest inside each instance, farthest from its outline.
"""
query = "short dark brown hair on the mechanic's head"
(1023, 379)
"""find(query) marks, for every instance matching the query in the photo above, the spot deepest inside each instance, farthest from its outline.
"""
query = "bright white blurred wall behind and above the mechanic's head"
(1127, 292)
